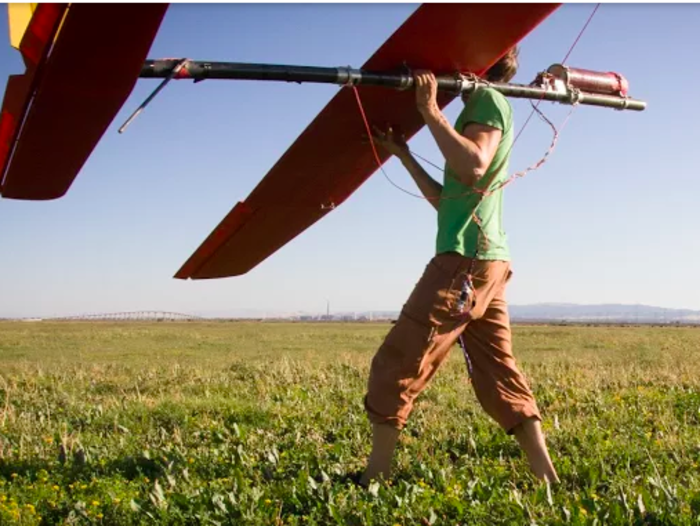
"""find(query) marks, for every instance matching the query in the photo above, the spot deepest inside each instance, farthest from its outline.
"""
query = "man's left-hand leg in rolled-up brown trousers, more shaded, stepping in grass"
(414, 349)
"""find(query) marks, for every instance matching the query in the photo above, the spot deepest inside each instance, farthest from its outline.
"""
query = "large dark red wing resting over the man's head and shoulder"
(330, 159)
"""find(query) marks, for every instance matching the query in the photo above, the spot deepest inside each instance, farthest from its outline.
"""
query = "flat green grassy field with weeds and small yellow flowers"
(253, 423)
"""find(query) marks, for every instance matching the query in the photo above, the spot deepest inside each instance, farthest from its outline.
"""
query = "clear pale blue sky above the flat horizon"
(611, 217)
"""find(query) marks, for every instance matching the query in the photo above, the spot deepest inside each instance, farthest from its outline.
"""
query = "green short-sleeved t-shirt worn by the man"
(457, 231)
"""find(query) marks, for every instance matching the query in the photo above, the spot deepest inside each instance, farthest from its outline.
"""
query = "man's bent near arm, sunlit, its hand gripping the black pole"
(468, 154)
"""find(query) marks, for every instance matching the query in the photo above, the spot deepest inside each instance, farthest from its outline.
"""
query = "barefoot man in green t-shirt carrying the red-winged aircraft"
(461, 294)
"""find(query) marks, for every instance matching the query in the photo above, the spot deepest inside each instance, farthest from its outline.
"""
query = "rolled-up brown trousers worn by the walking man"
(428, 327)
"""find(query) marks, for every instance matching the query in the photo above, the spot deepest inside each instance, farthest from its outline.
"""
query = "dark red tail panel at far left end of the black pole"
(92, 69)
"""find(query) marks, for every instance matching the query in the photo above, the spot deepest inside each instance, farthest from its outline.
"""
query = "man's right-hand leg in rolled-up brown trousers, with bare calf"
(499, 385)
